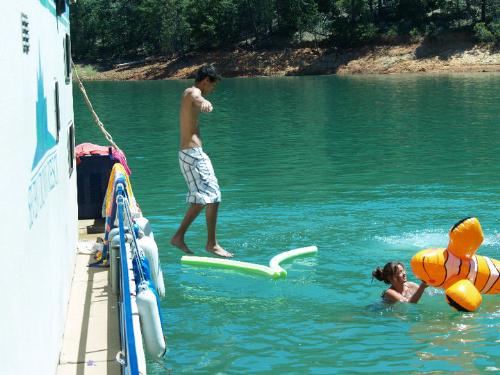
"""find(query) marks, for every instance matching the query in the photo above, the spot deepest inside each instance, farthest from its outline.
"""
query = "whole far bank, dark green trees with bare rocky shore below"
(150, 39)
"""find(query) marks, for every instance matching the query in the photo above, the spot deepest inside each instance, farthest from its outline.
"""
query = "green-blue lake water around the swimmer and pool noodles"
(368, 168)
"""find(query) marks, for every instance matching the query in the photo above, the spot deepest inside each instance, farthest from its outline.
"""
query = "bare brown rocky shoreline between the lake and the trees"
(445, 56)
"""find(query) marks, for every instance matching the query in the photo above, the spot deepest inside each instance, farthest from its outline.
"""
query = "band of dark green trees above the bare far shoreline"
(112, 30)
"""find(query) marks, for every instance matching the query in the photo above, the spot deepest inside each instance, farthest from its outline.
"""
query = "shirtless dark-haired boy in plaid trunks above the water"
(195, 164)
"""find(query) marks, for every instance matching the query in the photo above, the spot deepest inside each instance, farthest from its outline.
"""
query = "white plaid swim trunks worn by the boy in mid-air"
(200, 177)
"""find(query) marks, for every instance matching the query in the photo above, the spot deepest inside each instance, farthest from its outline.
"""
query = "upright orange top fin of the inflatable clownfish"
(465, 238)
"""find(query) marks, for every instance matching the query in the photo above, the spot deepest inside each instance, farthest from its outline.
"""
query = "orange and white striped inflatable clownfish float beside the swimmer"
(457, 269)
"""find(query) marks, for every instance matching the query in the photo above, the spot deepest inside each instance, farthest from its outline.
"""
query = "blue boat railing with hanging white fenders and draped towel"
(136, 276)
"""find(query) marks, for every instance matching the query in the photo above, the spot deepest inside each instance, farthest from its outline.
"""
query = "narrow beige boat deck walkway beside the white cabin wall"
(92, 338)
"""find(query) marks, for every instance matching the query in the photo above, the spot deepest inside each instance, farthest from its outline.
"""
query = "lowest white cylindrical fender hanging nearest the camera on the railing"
(149, 315)
